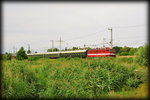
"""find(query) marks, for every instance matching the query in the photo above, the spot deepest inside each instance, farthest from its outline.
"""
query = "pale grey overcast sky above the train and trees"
(77, 23)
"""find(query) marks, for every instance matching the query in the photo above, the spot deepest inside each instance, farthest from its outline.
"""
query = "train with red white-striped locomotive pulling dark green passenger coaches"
(100, 52)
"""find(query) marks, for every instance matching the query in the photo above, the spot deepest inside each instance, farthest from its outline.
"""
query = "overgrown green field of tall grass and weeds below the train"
(74, 78)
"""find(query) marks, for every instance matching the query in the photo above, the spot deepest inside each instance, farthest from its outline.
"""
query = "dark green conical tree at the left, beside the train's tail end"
(21, 55)
